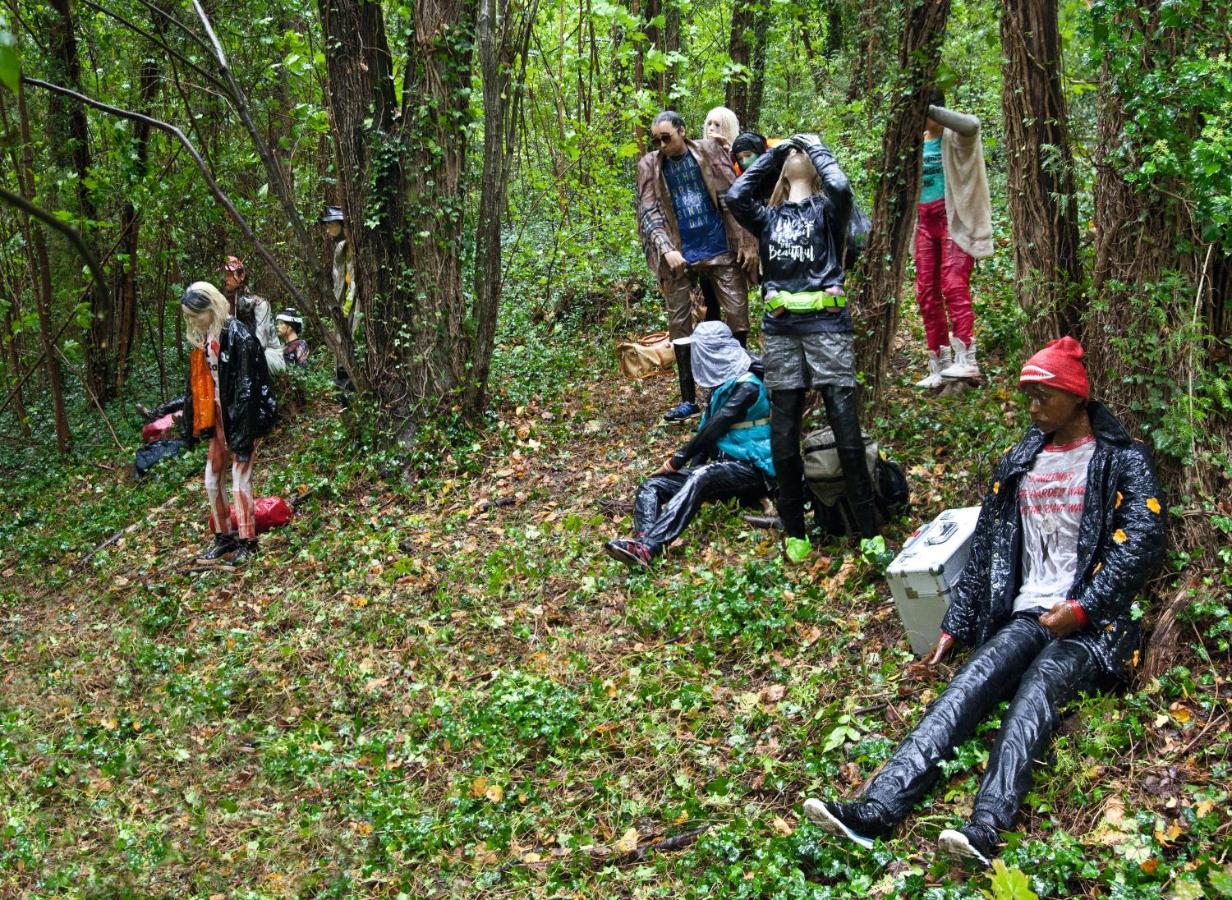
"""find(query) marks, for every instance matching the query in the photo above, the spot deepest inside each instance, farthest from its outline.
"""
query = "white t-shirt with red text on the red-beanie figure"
(1050, 503)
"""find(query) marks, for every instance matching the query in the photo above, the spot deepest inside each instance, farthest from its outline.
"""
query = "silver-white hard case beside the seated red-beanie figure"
(922, 576)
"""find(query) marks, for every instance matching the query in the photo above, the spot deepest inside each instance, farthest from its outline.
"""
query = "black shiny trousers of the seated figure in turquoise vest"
(667, 504)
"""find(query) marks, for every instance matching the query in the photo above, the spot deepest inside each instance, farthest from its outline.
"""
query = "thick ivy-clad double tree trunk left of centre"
(401, 171)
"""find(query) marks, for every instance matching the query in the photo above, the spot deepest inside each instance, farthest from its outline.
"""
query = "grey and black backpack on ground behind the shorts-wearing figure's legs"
(824, 473)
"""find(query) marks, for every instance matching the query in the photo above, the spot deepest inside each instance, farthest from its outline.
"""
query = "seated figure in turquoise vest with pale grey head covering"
(729, 457)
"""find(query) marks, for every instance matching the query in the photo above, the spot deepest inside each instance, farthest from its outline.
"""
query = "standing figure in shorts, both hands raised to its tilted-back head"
(808, 329)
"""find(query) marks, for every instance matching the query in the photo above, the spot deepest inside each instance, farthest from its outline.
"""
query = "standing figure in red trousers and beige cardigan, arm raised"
(953, 230)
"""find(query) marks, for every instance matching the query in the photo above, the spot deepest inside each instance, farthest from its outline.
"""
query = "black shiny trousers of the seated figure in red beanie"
(1047, 674)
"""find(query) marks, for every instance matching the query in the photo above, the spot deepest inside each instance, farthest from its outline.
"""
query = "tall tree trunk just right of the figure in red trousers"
(1040, 178)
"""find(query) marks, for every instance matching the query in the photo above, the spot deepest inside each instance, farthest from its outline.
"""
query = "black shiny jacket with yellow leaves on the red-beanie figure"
(1121, 544)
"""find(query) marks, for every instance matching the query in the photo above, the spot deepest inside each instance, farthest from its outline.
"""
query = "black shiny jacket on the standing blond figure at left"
(245, 393)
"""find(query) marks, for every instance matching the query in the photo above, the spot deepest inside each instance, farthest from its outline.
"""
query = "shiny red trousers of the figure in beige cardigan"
(943, 279)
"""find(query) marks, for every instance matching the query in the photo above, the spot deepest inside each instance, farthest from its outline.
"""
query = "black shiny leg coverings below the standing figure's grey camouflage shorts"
(787, 414)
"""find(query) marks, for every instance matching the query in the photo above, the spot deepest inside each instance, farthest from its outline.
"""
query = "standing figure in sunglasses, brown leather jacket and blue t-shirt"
(689, 236)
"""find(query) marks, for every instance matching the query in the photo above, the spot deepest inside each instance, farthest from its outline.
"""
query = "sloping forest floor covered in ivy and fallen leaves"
(436, 684)
